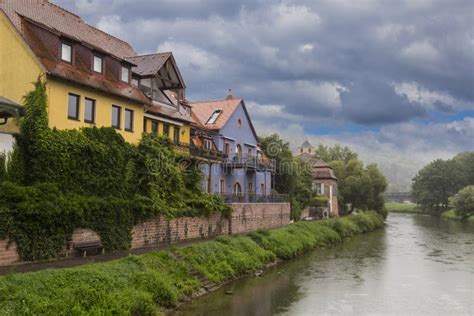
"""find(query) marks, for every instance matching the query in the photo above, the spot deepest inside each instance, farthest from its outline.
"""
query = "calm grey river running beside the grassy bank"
(417, 265)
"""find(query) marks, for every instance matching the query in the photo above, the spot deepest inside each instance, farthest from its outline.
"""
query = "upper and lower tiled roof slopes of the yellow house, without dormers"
(29, 15)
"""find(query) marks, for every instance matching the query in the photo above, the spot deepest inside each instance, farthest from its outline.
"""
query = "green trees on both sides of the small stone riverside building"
(359, 187)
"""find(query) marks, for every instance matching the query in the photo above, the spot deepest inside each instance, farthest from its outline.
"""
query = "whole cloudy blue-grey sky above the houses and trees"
(393, 80)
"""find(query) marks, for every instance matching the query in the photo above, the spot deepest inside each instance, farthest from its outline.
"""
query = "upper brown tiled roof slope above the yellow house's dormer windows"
(63, 21)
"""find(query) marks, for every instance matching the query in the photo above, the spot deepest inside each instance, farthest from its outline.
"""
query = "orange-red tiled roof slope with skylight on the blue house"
(202, 110)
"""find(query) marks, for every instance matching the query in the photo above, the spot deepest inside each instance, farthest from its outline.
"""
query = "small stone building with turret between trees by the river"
(324, 179)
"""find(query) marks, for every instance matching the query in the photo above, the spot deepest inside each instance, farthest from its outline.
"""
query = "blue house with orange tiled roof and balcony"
(245, 173)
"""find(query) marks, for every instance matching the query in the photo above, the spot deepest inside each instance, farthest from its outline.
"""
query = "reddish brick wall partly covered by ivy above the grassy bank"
(160, 231)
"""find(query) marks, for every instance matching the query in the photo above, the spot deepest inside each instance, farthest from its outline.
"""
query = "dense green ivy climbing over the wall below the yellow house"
(60, 180)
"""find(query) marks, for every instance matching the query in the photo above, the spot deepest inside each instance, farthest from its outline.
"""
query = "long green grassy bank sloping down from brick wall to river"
(145, 284)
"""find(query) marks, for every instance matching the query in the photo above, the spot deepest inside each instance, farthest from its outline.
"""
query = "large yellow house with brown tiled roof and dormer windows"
(93, 78)
